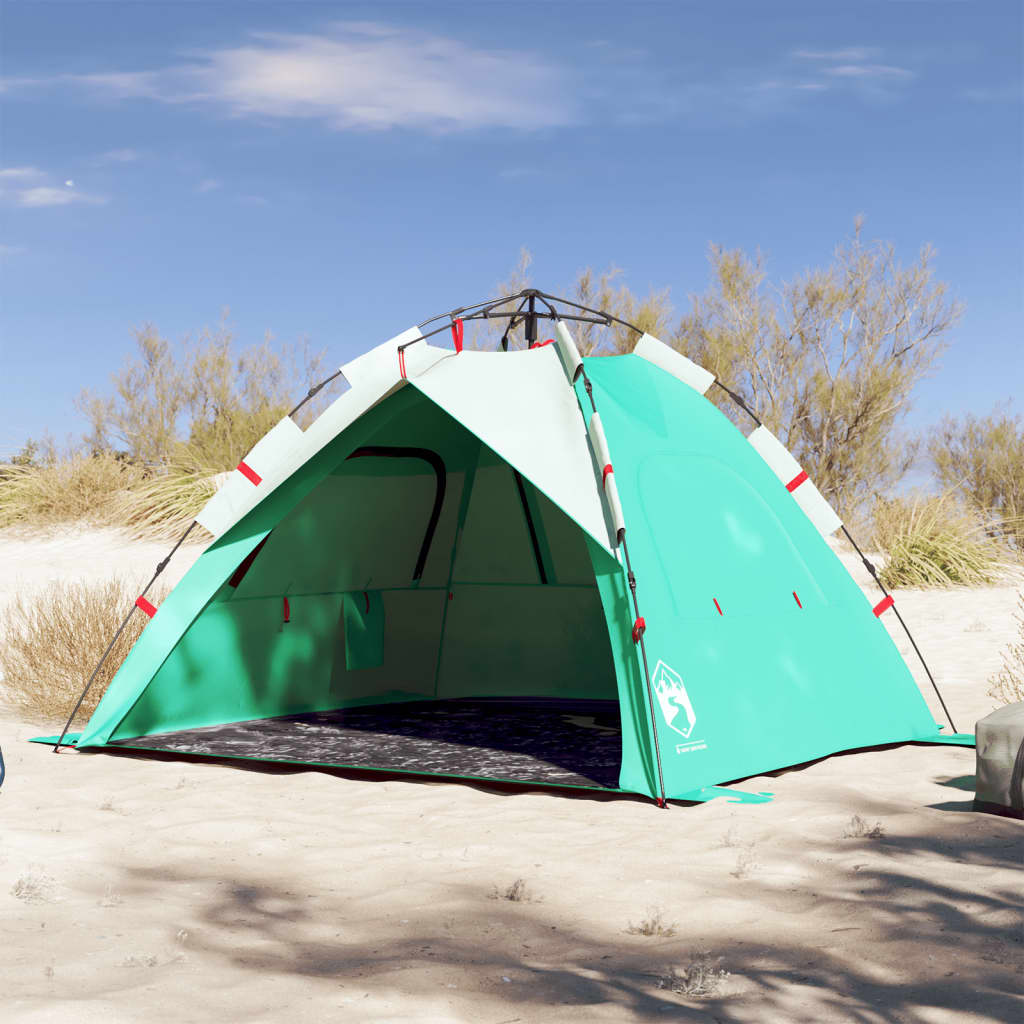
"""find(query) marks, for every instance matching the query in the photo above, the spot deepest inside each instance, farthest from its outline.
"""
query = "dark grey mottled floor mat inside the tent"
(539, 741)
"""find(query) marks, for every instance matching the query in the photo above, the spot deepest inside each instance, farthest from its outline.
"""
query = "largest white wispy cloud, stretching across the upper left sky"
(356, 76)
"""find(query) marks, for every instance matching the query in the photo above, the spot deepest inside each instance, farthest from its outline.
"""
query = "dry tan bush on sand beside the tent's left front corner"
(54, 639)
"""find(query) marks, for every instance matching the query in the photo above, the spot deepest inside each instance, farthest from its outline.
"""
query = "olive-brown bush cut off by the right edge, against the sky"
(984, 458)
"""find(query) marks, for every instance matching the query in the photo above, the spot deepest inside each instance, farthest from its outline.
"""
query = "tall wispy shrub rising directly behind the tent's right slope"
(830, 361)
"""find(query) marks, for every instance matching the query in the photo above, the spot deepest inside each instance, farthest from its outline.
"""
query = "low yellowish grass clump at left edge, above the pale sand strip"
(78, 488)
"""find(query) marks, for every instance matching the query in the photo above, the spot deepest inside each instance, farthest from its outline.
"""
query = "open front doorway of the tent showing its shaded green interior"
(445, 619)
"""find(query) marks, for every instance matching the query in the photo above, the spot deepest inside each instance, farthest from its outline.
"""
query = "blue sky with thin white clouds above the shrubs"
(339, 172)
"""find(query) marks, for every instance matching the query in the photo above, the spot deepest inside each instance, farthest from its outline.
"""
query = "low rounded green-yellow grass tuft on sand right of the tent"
(934, 542)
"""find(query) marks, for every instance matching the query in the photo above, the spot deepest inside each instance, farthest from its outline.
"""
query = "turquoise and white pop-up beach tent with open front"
(519, 566)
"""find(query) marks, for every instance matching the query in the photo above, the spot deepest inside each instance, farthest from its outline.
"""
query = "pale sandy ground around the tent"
(137, 889)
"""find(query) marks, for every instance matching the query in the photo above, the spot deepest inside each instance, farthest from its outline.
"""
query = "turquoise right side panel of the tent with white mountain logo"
(755, 682)
